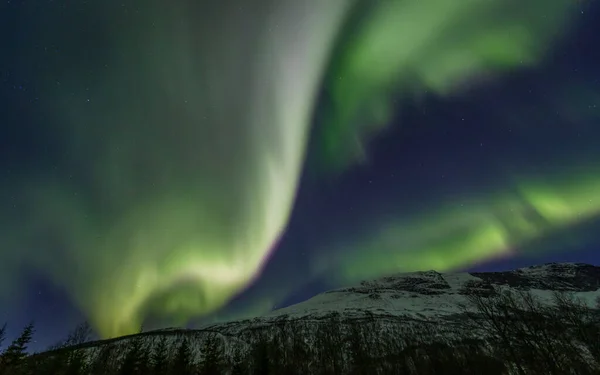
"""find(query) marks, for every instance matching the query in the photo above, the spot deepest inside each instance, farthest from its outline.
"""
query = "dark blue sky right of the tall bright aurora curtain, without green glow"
(459, 145)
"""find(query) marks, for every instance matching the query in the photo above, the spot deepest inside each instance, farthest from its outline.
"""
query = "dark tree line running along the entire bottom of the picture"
(499, 333)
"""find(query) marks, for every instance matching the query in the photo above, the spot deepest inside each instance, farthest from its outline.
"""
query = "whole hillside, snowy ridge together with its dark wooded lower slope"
(381, 325)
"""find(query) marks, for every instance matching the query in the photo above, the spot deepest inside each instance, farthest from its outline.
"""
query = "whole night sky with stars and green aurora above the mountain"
(181, 165)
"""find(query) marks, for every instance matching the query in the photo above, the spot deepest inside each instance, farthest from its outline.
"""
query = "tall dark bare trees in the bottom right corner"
(540, 338)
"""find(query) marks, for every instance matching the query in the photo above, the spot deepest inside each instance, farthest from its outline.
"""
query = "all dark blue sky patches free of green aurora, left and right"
(434, 147)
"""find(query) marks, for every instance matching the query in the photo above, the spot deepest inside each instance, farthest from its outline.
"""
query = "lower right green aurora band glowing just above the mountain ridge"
(456, 236)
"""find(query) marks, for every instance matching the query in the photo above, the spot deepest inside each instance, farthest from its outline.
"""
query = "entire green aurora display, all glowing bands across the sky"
(183, 166)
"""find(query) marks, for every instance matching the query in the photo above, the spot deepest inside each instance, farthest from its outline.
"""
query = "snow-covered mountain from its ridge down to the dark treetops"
(429, 304)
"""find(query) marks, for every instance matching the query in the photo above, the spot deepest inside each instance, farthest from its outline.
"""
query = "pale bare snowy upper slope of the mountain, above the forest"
(429, 295)
